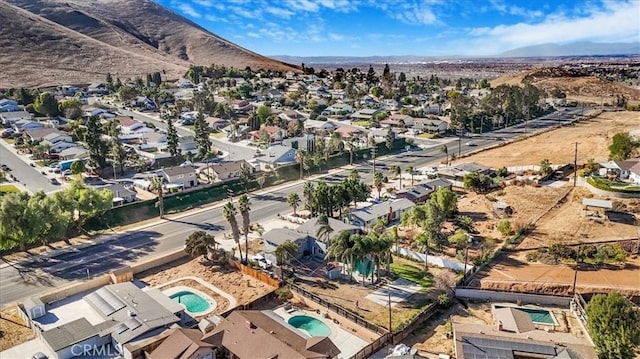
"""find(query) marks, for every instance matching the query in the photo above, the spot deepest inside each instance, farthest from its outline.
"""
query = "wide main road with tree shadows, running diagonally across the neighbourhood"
(42, 273)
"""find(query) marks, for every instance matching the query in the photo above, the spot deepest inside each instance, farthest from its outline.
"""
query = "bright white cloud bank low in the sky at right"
(615, 22)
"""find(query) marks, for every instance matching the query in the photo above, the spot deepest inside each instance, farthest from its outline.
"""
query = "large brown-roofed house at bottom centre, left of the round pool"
(264, 334)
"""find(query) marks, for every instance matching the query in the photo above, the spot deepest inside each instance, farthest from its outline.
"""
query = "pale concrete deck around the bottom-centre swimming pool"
(348, 343)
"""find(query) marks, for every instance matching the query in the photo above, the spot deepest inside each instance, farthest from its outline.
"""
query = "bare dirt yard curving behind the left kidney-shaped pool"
(244, 288)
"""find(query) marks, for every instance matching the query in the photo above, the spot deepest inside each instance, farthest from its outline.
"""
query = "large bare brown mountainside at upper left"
(50, 42)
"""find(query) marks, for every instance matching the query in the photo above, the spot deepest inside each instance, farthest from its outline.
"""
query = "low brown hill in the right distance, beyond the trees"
(574, 84)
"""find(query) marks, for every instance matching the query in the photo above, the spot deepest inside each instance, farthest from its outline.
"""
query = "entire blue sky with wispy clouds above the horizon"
(410, 27)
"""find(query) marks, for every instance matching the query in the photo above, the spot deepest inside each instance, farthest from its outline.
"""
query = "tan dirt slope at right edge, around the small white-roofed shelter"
(567, 223)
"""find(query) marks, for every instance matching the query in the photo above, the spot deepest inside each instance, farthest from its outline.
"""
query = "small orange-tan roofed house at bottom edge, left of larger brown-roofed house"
(184, 344)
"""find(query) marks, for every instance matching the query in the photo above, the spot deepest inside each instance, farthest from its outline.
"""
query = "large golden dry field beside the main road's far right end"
(593, 137)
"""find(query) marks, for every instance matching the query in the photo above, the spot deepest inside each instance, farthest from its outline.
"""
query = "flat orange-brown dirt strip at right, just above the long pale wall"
(513, 273)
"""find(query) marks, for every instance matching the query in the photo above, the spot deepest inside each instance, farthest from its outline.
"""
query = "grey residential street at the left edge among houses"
(29, 176)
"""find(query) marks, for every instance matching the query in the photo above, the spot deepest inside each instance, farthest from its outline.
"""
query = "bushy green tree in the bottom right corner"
(613, 324)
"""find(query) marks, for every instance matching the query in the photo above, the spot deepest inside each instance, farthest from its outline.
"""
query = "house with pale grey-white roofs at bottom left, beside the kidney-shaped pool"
(121, 315)
